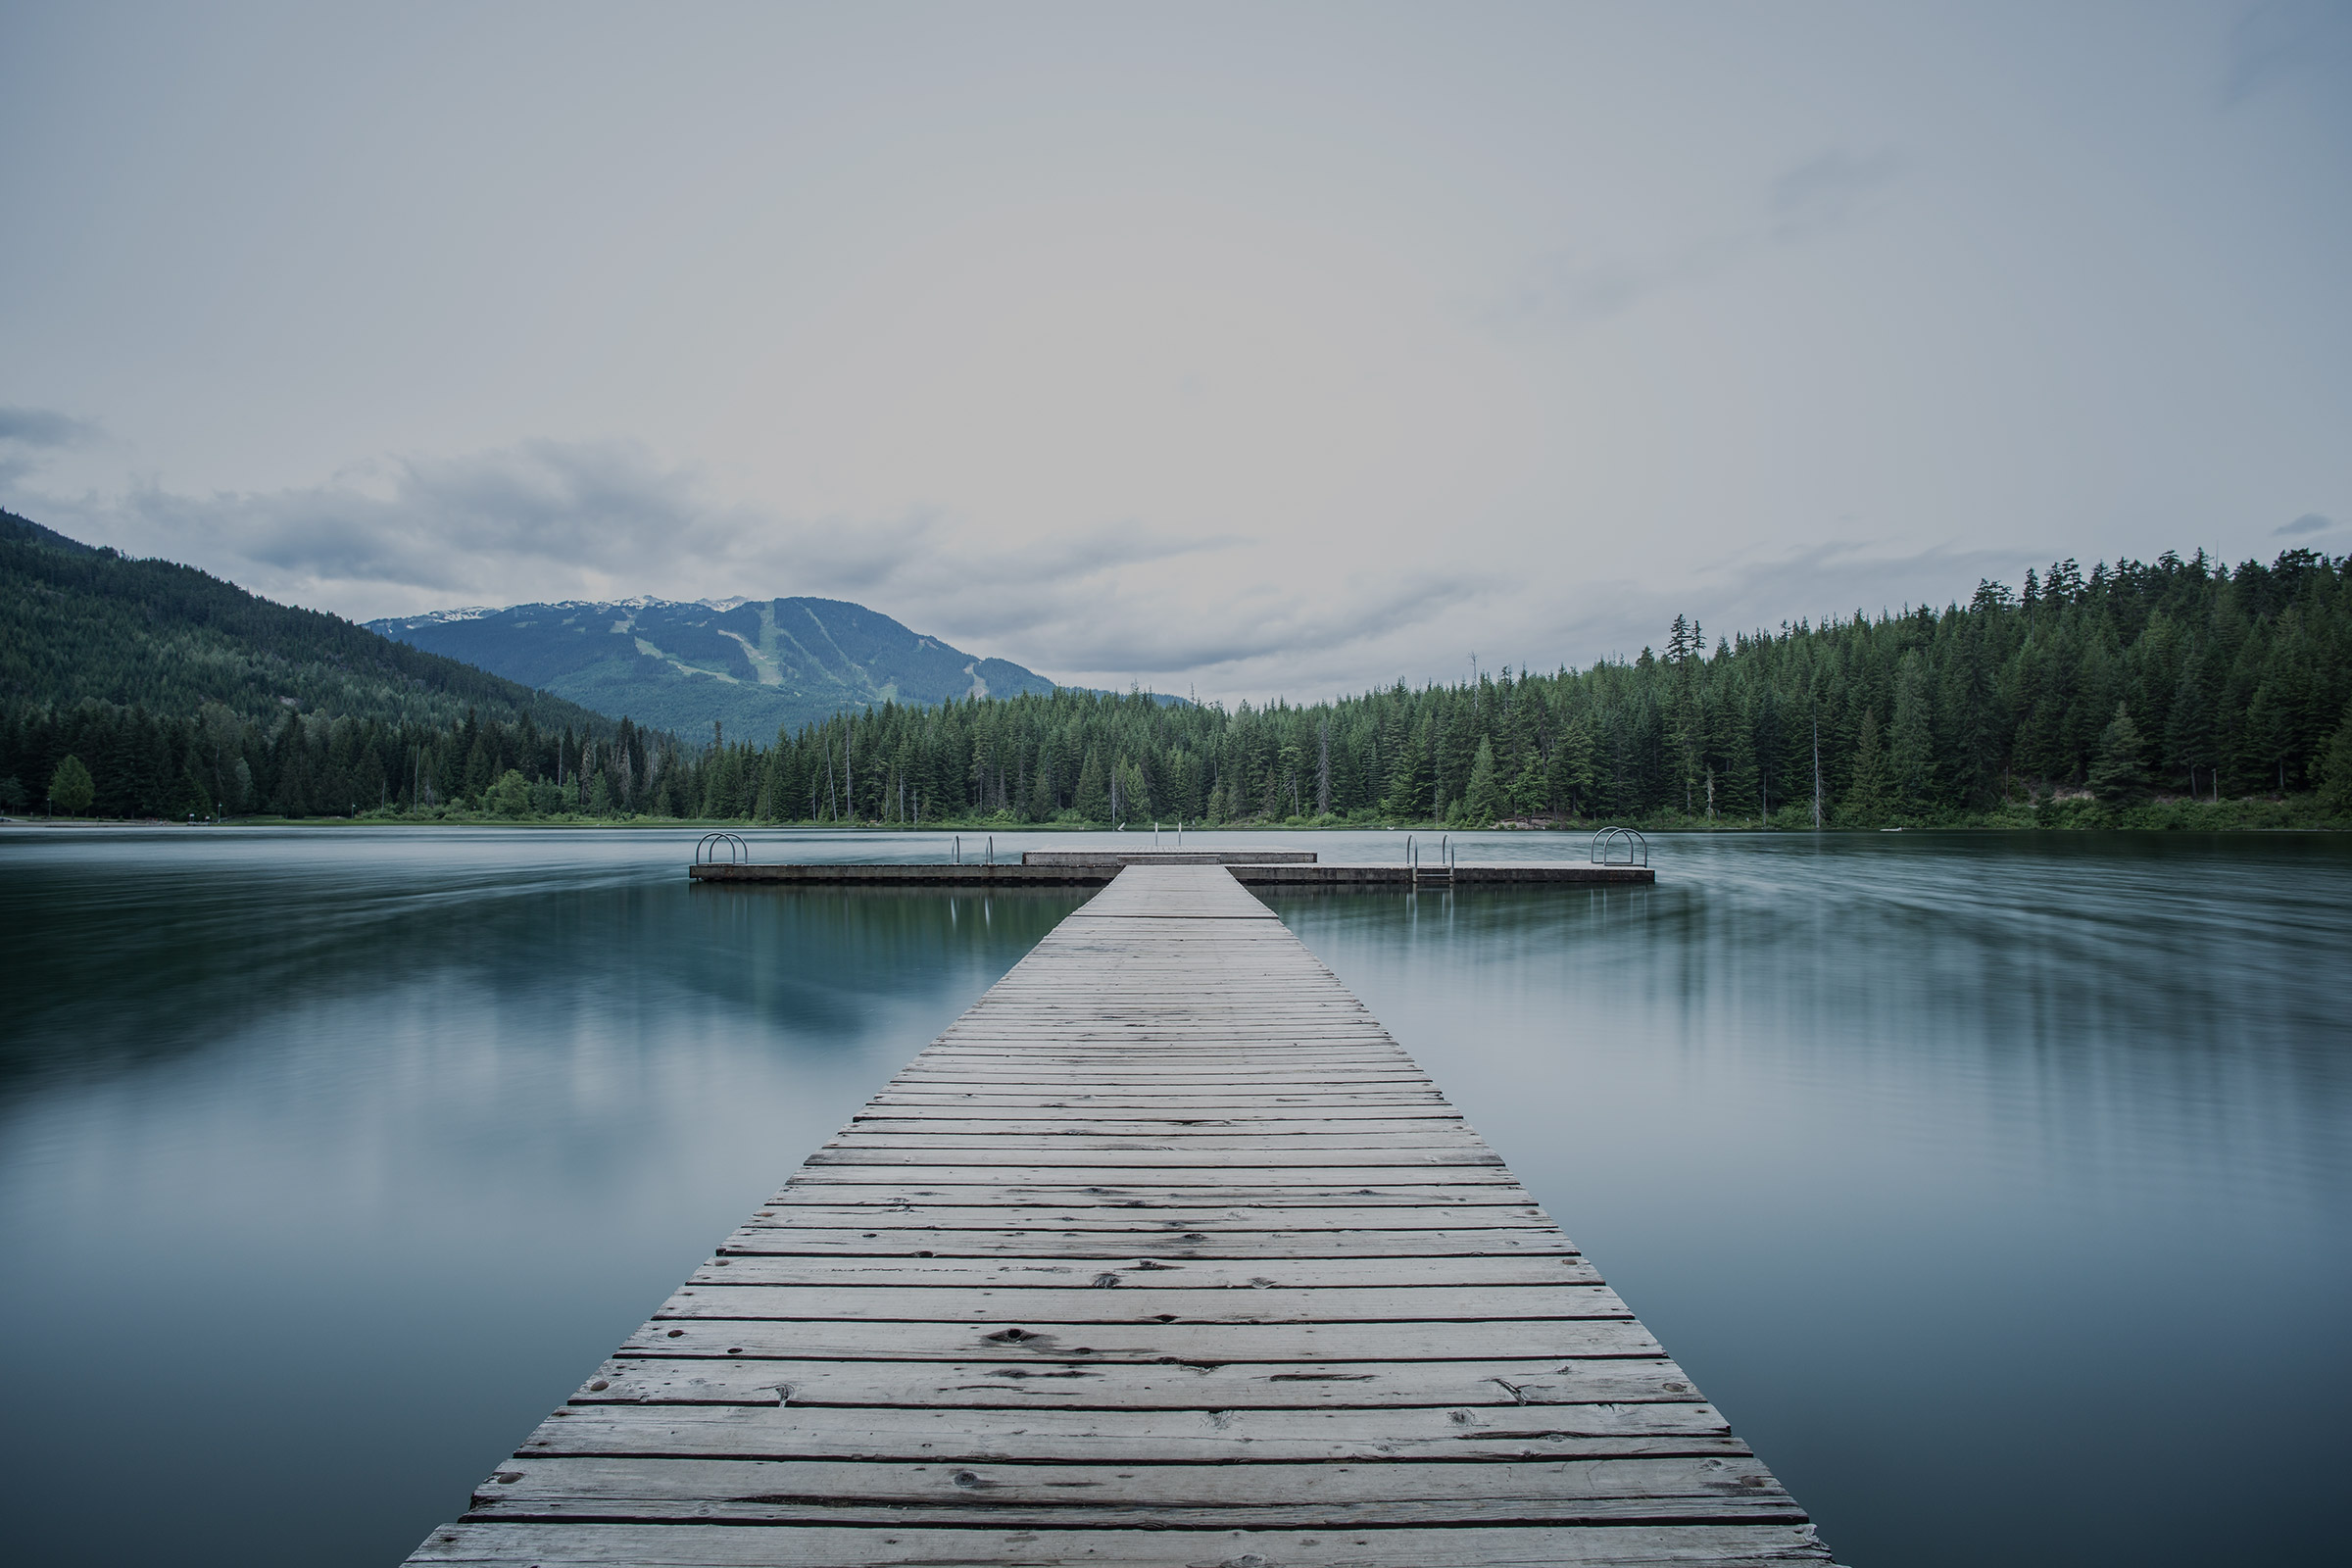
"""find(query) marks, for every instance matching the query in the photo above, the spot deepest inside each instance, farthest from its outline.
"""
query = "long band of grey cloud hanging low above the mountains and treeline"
(1102, 605)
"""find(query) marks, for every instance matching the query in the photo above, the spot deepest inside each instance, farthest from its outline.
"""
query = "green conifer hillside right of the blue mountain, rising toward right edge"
(2106, 688)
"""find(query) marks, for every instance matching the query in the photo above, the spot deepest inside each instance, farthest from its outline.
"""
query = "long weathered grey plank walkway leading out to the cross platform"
(1163, 1254)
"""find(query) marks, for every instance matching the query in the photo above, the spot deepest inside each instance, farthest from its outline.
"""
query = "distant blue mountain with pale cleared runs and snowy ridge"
(754, 664)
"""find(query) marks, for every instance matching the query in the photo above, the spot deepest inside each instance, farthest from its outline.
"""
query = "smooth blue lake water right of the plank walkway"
(2000, 1191)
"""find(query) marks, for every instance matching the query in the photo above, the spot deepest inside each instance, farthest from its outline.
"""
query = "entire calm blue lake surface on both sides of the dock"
(1998, 1188)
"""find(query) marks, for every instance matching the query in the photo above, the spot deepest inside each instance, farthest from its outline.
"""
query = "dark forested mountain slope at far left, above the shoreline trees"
(91, 624)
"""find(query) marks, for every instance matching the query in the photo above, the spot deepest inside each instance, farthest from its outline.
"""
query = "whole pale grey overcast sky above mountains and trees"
(1271, 349)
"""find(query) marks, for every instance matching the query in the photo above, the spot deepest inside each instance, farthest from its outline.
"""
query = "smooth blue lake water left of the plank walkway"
(330, 1162)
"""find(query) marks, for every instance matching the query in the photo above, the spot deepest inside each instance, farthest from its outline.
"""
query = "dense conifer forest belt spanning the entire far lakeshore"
(2144, 695)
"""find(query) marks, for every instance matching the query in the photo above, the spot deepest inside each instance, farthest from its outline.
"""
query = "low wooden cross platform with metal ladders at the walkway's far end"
(1283, 869)
